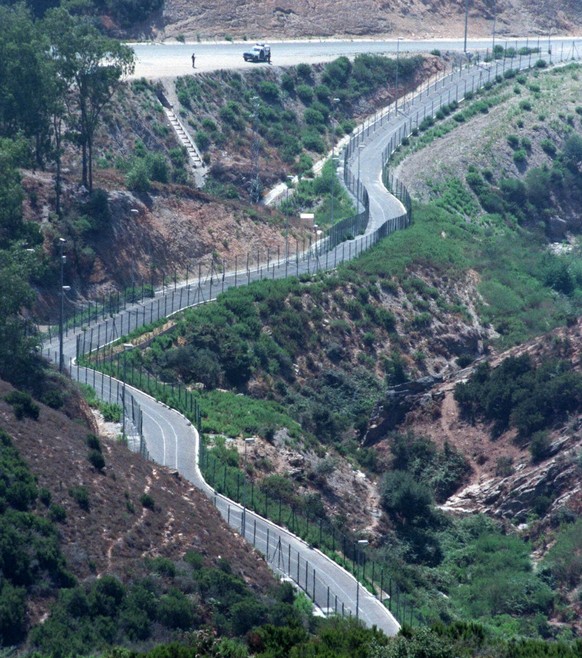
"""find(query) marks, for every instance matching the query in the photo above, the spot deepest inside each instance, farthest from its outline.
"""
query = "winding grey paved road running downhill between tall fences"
(172, 440)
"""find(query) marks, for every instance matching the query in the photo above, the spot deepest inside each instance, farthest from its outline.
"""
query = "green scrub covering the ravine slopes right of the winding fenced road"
(262, 331)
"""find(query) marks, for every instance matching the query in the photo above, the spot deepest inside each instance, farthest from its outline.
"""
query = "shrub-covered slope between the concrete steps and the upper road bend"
(286, 120)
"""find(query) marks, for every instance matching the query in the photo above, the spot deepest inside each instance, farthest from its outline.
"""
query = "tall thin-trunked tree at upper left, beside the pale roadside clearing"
(91, 67)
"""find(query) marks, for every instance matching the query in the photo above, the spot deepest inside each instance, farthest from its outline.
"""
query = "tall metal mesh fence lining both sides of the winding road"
(105, 321)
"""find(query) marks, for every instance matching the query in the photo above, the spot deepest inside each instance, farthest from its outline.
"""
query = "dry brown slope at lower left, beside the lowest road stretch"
(111, 520)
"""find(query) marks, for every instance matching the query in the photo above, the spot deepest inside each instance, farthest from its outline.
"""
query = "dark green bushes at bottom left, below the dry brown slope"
(170, 599)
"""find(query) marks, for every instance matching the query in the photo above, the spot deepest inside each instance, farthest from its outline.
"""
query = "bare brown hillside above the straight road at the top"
(293, 19)
